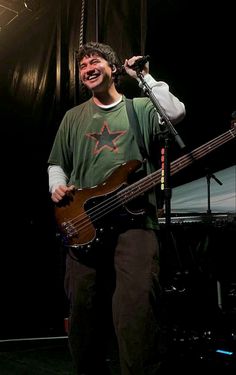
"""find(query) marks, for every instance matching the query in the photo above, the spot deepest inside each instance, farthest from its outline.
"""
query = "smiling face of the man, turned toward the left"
(95, 73)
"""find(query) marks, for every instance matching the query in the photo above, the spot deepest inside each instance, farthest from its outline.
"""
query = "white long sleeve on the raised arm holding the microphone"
(172, 106)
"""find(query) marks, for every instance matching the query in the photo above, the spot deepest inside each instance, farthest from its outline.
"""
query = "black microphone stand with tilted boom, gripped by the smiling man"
(170, 133)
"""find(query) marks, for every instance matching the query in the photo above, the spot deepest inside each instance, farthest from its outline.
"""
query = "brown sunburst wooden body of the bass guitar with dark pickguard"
(82, 209)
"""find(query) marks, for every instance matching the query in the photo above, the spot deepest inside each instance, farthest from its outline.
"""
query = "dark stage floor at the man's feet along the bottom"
(188, 354)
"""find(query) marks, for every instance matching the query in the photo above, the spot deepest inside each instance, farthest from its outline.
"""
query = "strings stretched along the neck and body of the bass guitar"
(125, 195)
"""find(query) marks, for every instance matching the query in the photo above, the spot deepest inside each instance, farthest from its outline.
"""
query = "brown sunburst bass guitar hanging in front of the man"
(80, 215)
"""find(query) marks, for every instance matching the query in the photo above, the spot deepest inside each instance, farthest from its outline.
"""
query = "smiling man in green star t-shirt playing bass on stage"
(120, 277)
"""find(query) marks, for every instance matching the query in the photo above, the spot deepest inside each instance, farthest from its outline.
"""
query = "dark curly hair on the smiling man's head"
(103, 50)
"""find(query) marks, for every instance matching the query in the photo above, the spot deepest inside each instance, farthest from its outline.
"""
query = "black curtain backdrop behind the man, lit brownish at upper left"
(191, 48)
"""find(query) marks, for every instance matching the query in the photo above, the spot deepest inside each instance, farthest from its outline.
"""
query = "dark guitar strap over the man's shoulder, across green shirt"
(133, 119)
